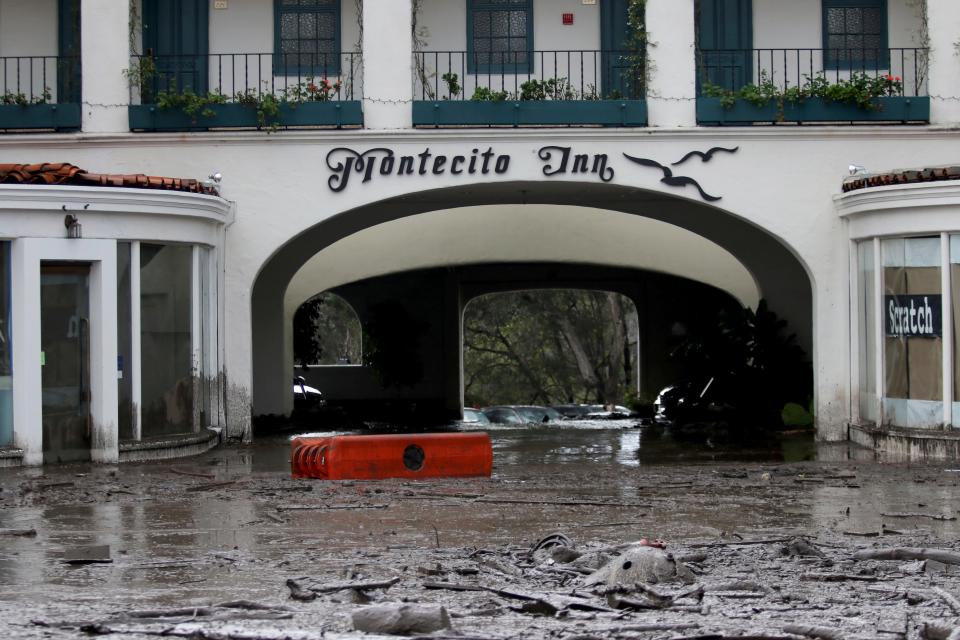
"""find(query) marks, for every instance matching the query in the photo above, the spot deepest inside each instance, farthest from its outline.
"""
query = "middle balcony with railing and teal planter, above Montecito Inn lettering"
(537, 88)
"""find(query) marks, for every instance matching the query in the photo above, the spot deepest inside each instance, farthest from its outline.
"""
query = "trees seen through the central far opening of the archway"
(549, 347)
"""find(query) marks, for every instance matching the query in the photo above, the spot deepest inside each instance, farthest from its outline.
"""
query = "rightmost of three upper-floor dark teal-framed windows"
(855, 34)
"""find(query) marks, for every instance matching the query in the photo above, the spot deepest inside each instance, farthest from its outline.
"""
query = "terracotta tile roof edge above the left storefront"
(68, 174)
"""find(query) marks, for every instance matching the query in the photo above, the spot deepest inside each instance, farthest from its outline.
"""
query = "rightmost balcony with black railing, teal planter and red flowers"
(774, 86)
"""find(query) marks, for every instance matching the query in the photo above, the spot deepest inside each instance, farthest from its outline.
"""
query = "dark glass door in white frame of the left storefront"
(65, 361)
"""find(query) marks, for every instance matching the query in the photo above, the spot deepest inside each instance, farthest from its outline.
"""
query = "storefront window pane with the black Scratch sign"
(913, 332)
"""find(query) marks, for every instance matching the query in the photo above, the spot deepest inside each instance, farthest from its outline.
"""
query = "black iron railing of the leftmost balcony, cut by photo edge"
(26, 80)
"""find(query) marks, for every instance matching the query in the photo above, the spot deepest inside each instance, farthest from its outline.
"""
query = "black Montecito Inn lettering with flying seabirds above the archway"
(345, 163)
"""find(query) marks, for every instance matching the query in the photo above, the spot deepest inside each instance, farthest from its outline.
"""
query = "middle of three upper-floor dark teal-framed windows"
(499, 36)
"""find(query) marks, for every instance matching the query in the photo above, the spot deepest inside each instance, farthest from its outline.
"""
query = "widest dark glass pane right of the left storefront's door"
(167, 389)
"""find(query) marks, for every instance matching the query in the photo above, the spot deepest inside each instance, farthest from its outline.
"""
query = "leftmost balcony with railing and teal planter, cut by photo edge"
(39, 93)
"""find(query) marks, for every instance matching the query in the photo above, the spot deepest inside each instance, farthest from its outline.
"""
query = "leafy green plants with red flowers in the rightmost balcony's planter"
(860, 90)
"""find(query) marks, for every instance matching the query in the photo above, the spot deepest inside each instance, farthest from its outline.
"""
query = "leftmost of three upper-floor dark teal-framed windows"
(307, 37)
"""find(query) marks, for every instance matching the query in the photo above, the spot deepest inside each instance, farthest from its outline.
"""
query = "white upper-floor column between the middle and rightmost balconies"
(671, 63)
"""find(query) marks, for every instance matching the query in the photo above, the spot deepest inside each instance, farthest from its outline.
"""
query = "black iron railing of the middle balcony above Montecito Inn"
(528, 75)
